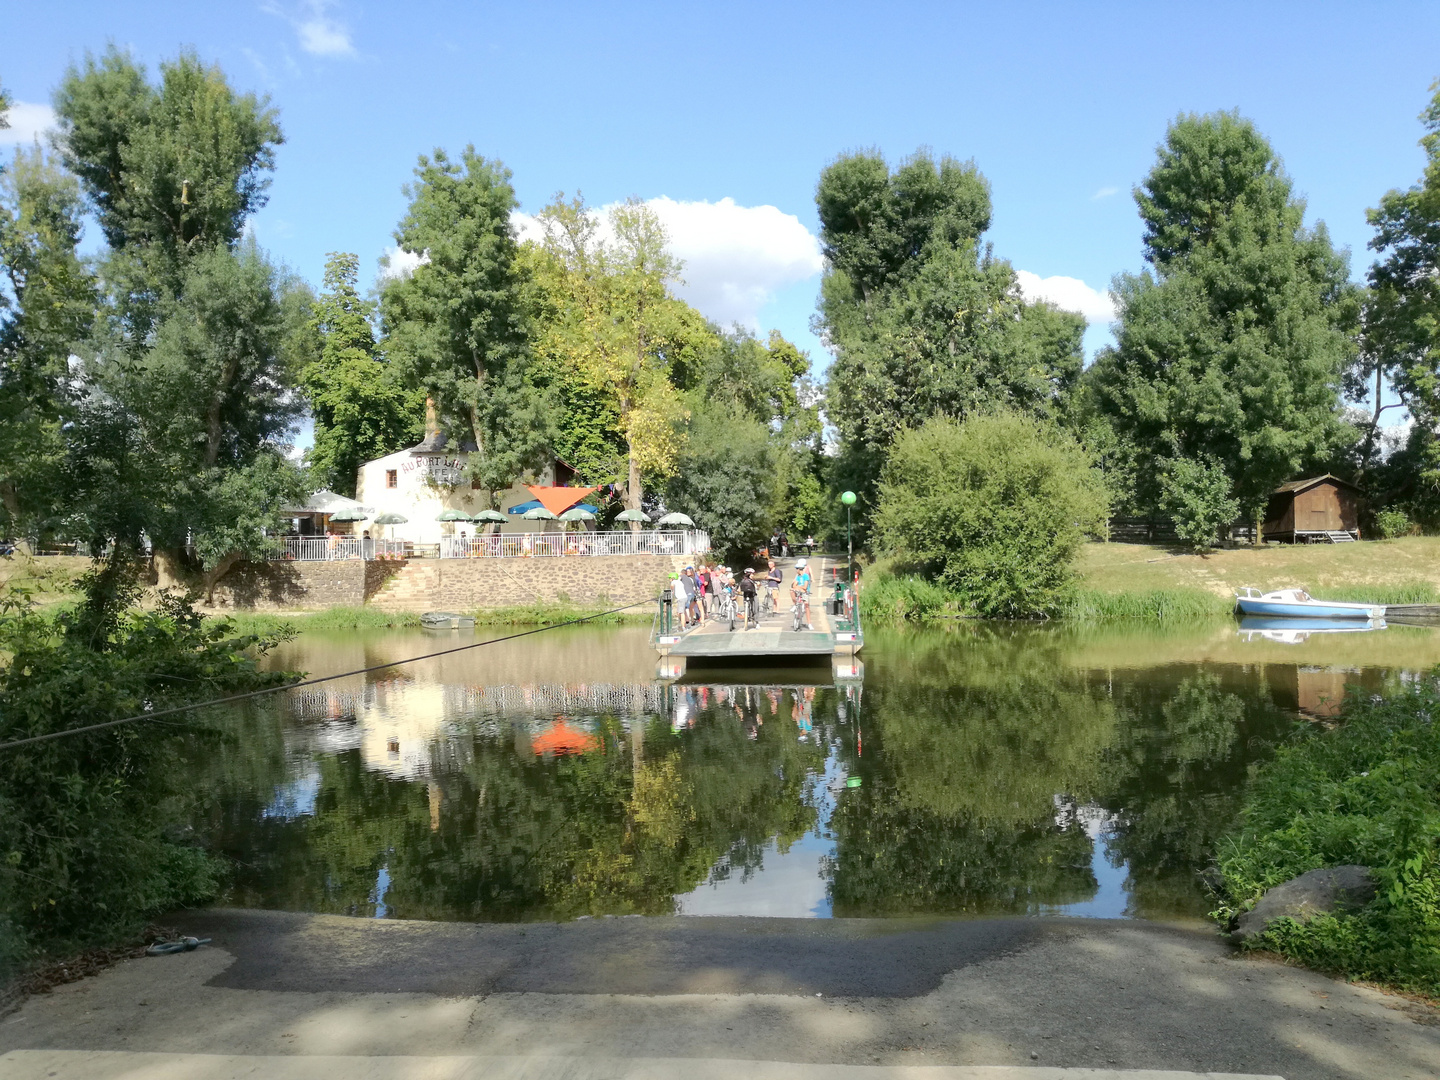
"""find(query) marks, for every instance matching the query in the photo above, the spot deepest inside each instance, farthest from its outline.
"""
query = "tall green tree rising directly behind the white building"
(457, 325)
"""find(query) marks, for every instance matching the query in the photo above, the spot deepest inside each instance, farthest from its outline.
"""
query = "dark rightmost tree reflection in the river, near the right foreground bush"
(1176, 775)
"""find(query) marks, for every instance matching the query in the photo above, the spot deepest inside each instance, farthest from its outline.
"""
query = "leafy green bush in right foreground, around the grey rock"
(1367, 793)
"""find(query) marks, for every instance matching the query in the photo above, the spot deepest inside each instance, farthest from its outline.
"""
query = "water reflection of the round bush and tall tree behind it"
(968, 739)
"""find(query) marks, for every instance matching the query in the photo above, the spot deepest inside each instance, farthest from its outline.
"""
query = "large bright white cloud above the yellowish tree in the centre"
(737, 257)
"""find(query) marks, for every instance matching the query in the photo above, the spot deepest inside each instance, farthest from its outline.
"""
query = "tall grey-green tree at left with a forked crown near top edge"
(192, 371)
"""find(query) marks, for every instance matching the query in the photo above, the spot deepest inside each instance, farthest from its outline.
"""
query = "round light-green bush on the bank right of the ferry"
(993, 509)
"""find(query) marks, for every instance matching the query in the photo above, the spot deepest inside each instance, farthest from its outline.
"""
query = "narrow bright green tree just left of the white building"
(359, 405)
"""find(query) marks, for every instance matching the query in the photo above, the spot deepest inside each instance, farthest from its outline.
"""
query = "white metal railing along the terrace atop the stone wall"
(318, 549)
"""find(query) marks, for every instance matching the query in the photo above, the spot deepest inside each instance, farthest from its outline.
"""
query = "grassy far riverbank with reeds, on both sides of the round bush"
(1158, 584)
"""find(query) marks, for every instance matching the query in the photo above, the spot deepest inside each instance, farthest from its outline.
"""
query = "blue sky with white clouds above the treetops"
(1062, 106)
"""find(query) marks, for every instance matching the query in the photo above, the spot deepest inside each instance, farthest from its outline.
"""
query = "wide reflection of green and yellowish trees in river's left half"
(502, 833)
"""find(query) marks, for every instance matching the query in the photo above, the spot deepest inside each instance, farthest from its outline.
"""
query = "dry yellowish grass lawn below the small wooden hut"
(1387, 571)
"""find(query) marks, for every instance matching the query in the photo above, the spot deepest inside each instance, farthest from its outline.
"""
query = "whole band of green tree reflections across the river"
(983, 745)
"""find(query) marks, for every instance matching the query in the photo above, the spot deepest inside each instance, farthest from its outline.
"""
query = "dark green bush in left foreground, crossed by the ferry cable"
(91, 826)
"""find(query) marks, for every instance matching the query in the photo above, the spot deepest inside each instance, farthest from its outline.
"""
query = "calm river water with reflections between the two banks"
(980, 770)
